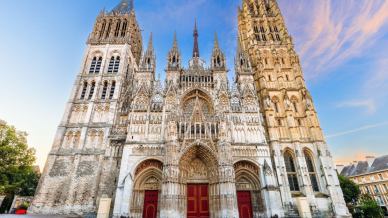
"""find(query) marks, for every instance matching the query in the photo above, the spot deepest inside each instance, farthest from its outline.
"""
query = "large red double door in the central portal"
(197, 201)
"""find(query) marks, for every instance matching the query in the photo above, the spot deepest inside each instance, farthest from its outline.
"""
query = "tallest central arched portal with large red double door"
(198, 177)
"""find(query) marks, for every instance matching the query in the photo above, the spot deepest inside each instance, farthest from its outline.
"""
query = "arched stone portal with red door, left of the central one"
(146, 188)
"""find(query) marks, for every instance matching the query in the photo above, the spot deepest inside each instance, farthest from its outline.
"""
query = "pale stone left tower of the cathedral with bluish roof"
(82, 166)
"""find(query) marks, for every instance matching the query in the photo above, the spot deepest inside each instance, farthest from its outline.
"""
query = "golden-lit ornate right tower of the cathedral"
(301, 157)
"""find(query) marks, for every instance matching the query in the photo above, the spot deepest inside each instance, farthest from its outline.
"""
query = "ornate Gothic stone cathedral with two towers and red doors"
(195, 144)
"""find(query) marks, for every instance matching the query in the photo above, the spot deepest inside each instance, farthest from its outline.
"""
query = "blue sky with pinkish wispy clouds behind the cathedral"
(342, 45)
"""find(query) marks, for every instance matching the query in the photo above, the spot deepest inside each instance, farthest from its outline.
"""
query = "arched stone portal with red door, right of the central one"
(249, 197)
